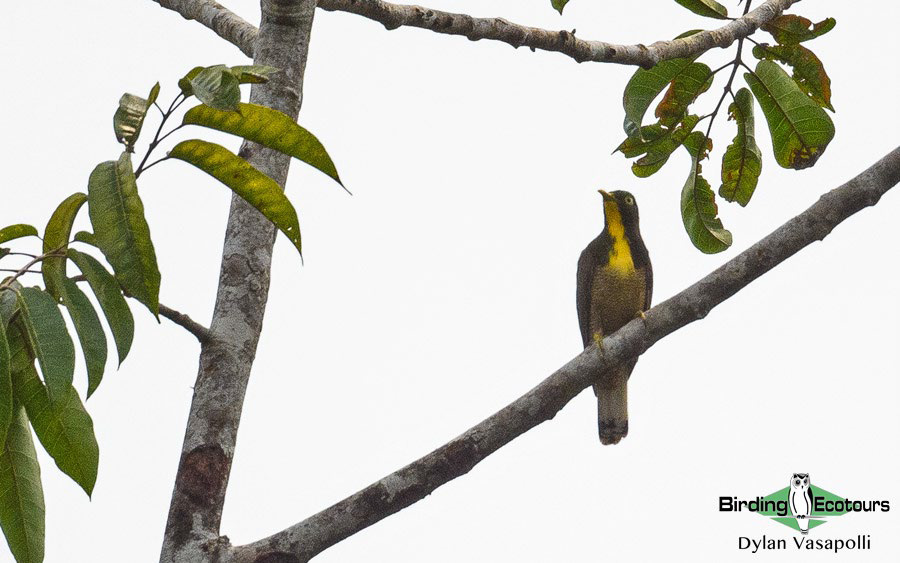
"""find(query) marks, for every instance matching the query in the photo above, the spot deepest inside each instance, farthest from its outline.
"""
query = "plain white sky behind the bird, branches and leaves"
(445, 288)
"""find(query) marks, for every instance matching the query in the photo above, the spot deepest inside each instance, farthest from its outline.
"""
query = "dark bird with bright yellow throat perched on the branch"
(614, 285)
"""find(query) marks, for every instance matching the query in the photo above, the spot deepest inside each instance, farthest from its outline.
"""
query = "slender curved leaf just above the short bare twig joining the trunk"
(110, 298)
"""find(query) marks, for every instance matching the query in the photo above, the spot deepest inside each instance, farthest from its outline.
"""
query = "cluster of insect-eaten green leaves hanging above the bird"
(793, 106)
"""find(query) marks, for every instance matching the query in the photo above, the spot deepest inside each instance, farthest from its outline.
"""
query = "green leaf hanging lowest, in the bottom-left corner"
(21, 494)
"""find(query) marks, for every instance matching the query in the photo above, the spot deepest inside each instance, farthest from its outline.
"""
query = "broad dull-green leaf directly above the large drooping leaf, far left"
(48, 337)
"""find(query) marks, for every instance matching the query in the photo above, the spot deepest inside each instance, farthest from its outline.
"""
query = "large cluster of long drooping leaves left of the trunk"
(37, 351)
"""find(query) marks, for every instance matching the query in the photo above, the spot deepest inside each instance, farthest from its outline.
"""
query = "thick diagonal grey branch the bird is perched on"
(417, 480)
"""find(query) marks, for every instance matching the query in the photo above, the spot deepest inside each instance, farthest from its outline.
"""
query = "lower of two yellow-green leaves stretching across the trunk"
(260, 191)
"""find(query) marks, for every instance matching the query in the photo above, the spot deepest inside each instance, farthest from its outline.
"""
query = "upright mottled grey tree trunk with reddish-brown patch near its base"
(192, 528)
